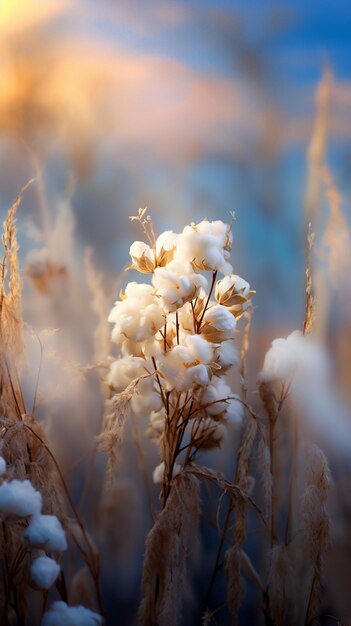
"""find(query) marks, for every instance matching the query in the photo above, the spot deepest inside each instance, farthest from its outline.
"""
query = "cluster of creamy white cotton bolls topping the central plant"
(176, 333)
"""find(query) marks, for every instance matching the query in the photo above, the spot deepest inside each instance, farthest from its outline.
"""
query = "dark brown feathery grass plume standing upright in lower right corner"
(315, 524)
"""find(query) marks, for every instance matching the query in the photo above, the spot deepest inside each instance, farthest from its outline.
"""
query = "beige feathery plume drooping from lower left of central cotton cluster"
(117, 411)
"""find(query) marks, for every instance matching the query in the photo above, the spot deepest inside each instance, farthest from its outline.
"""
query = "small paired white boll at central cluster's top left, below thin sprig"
(146, 259)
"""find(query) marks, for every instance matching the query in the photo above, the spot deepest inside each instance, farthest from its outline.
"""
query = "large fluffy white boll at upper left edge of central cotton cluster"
(137, 316)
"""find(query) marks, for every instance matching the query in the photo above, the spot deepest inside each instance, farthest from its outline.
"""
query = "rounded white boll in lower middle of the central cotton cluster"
(185, 365)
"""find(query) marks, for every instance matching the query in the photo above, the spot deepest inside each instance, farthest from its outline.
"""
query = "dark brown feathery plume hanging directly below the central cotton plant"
(168, 546)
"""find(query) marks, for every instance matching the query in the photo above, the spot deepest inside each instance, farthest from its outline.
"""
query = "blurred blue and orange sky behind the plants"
(190, 108)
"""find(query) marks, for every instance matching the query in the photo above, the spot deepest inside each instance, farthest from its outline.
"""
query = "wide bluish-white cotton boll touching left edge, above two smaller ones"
(19, 497)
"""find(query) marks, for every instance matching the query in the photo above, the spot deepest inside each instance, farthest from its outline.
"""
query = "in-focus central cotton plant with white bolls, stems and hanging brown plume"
(176, 330)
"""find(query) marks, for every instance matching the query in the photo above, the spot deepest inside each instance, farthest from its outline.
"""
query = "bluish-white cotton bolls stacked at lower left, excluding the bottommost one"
(18, 498)
